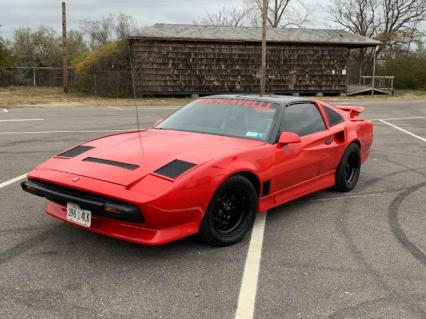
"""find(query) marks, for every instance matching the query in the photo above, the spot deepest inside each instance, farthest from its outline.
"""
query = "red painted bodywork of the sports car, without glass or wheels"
(173, 209)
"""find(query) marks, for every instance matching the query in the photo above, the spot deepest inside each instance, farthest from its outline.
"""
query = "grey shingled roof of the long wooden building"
(191, 32)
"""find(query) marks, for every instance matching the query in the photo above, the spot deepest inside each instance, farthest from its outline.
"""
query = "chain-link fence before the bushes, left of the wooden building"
(99, 83)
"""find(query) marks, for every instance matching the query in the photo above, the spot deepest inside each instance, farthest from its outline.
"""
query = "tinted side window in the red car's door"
(302, 119)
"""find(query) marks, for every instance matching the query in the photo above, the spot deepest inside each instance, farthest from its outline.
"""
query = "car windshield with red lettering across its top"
(230, 117)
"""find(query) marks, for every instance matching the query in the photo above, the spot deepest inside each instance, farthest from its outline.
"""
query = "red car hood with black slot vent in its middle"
(146, 152)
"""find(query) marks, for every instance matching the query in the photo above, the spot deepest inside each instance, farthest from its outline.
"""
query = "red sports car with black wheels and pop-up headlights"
(206, 169)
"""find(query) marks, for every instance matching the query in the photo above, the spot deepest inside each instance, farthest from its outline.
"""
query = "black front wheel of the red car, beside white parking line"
(231, 212)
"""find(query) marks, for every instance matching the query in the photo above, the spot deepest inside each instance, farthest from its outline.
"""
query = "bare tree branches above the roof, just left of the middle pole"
(225, 17)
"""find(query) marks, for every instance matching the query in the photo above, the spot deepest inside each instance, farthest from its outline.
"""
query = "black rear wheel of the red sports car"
(347, 172)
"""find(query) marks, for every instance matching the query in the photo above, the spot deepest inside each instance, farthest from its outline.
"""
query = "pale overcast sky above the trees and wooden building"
(33, 13)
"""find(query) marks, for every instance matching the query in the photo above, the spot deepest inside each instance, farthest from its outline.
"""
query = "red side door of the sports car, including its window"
(300, 163)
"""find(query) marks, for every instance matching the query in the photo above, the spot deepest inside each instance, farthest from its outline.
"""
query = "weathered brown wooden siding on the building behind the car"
(169, 67)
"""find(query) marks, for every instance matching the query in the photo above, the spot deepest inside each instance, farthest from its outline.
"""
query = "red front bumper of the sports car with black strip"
(155, 225)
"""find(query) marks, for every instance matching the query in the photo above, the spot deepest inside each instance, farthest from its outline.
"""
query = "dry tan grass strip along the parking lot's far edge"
(49, 97)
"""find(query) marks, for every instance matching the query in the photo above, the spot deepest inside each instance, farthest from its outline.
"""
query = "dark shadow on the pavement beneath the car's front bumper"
(66, 241)
